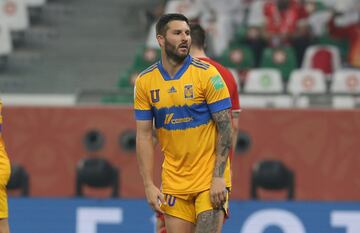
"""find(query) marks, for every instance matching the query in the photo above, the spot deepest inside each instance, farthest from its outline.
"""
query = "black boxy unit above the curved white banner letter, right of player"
(271, 175)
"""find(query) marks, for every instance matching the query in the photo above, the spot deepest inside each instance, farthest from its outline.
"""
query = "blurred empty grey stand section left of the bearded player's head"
(74, 47)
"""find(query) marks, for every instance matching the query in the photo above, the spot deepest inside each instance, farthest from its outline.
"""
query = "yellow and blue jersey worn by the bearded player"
(181, 107)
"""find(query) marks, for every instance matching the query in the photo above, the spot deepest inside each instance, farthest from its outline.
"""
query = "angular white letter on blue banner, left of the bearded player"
(87, 218)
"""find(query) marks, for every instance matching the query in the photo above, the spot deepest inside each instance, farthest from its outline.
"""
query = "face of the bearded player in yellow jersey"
(177, 40)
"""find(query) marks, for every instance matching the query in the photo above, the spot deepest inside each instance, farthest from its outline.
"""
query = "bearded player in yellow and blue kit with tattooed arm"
(189, 102)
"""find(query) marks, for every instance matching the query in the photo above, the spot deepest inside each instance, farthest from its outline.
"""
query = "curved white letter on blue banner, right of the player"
(285, 220)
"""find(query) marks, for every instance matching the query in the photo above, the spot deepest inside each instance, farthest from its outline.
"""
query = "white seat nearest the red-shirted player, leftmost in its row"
(264, 81)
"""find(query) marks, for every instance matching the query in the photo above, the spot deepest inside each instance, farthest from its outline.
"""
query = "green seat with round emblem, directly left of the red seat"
(283, 59)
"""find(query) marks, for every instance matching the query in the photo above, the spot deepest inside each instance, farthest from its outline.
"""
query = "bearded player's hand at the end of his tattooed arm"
(218, 192)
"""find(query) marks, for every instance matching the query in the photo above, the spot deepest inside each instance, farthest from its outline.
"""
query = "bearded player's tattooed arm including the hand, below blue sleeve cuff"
(223, 144)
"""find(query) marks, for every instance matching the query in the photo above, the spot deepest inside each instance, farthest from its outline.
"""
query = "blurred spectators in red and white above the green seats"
(262, 23)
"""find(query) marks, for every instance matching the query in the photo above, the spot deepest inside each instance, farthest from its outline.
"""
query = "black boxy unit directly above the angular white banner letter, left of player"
(98, 173)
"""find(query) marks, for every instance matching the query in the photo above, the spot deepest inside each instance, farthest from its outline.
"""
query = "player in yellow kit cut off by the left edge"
(4, 178)
